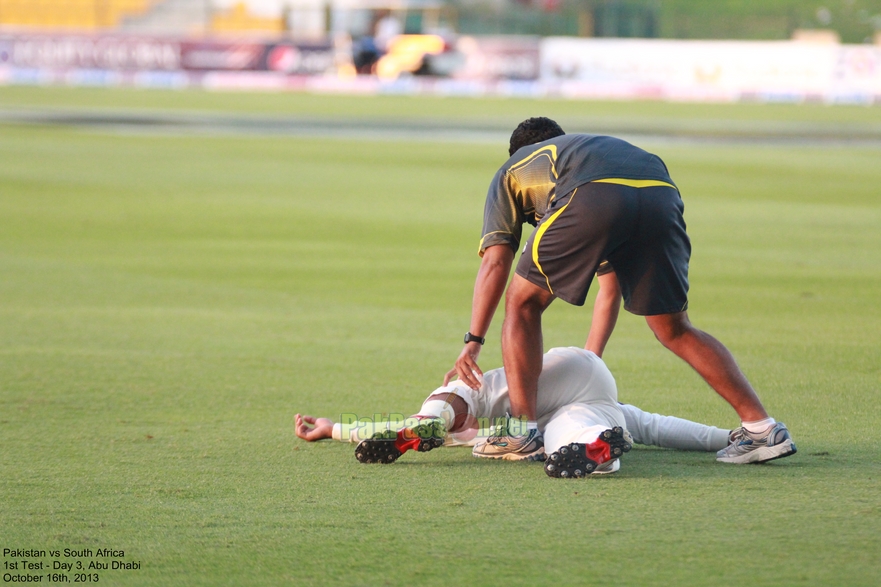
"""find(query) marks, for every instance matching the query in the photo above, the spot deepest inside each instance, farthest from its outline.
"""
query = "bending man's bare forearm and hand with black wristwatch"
(488, 289)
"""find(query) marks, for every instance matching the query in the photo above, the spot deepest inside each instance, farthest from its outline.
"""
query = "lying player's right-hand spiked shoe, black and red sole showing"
(600, 456)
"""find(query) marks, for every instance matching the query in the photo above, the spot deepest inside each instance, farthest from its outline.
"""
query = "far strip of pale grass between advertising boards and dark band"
(505, 112)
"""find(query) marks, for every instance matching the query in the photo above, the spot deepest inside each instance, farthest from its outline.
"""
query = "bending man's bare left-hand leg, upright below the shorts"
(522, 347)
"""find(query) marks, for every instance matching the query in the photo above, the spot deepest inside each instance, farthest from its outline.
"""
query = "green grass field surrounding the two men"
(169, 303)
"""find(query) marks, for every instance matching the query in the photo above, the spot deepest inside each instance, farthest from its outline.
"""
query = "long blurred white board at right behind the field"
(706, 69)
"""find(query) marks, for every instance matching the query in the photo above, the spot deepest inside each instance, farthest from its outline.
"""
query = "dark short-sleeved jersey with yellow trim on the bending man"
(526, 185)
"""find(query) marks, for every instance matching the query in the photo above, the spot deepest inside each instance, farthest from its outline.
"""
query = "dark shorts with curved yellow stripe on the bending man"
(640, 231)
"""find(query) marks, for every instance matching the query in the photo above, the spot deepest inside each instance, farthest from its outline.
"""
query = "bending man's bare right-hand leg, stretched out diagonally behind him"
(711, 360)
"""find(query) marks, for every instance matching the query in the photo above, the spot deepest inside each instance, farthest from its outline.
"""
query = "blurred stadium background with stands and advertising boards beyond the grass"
(785, 50)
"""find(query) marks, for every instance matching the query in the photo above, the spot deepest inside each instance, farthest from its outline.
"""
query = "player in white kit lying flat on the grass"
(585, 427)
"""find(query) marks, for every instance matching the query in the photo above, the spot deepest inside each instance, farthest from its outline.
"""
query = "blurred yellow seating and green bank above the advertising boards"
(849, 21)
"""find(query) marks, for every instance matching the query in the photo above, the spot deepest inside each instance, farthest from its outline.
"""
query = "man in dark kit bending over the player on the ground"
(594, 198)
